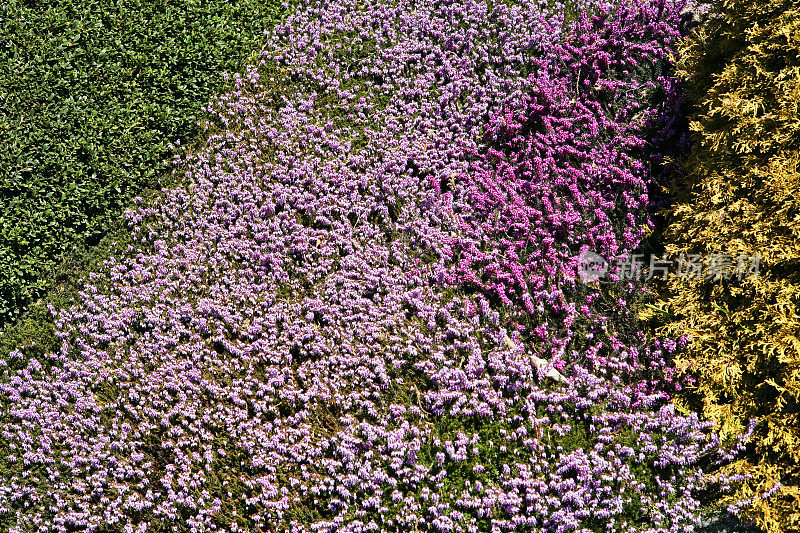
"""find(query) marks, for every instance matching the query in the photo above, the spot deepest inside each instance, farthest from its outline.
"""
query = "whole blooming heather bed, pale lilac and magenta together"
(290, 346)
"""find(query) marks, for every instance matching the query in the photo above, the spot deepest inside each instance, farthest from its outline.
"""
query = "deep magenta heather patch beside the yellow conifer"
(563, 171)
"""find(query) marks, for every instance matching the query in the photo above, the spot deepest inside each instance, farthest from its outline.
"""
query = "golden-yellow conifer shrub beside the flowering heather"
(739, 194)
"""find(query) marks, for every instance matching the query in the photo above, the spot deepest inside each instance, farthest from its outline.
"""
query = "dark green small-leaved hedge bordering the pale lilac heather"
(91, 94)
